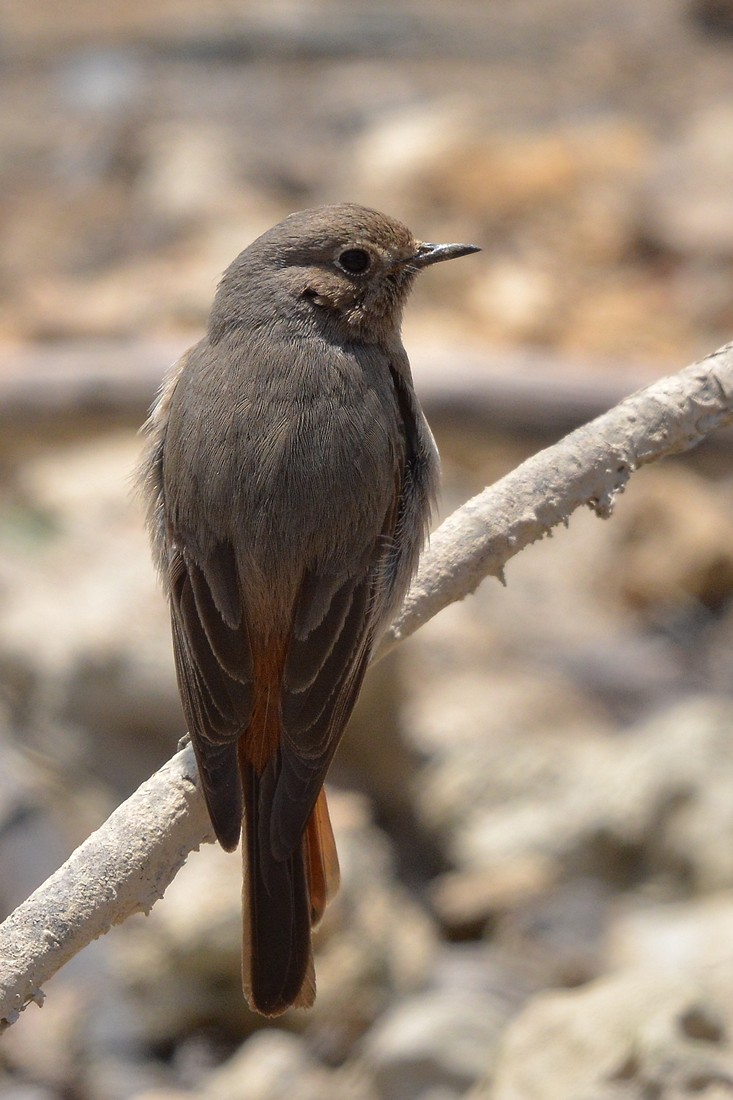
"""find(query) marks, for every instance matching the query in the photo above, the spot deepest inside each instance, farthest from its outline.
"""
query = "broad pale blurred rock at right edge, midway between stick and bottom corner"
(654, 802)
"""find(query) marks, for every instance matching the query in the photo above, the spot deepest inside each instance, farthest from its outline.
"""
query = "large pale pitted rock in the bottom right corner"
(631, 1036)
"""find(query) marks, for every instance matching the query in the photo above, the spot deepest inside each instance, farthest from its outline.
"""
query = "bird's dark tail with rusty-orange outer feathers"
(282, 900)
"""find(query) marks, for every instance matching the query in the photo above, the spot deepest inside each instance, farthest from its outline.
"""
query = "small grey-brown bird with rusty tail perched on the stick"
(289, 479)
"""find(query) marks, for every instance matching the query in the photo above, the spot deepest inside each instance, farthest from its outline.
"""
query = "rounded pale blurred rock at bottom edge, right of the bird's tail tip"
(439, 1043)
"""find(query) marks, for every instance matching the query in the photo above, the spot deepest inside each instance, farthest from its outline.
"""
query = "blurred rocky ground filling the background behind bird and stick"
(534, 806)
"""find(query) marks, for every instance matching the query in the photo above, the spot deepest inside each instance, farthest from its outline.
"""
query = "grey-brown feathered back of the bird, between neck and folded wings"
(304, 448)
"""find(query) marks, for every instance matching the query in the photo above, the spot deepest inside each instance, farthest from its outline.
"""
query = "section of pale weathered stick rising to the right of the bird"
(589, 467)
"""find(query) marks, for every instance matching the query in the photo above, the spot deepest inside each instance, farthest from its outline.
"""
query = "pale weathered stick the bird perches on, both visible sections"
(127, 865)
